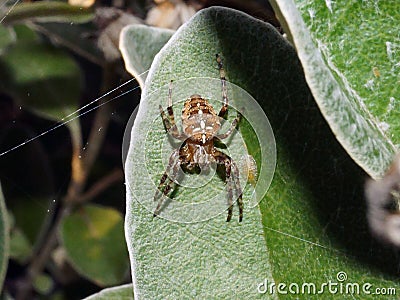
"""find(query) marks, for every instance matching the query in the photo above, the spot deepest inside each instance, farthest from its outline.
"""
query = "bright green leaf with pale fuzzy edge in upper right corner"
(350, 52)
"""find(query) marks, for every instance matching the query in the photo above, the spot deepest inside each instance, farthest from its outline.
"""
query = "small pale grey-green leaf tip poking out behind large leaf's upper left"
(141, 43)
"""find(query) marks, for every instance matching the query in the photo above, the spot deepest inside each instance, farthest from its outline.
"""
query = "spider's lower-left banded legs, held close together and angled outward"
(164, 187)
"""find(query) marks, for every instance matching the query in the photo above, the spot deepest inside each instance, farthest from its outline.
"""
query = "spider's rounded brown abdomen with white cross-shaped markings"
(199, 120)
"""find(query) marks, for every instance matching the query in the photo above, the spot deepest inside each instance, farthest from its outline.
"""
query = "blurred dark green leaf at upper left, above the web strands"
(45, 79)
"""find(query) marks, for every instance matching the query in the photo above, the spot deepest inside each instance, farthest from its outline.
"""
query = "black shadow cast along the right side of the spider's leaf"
(321, 164)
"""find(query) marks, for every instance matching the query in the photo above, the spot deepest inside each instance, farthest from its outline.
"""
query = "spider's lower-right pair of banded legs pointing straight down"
(222, 158)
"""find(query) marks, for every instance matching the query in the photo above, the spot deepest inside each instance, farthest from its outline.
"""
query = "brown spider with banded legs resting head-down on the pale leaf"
(200, 130)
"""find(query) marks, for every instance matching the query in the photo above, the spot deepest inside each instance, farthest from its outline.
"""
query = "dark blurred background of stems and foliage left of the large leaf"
(60, 141)
